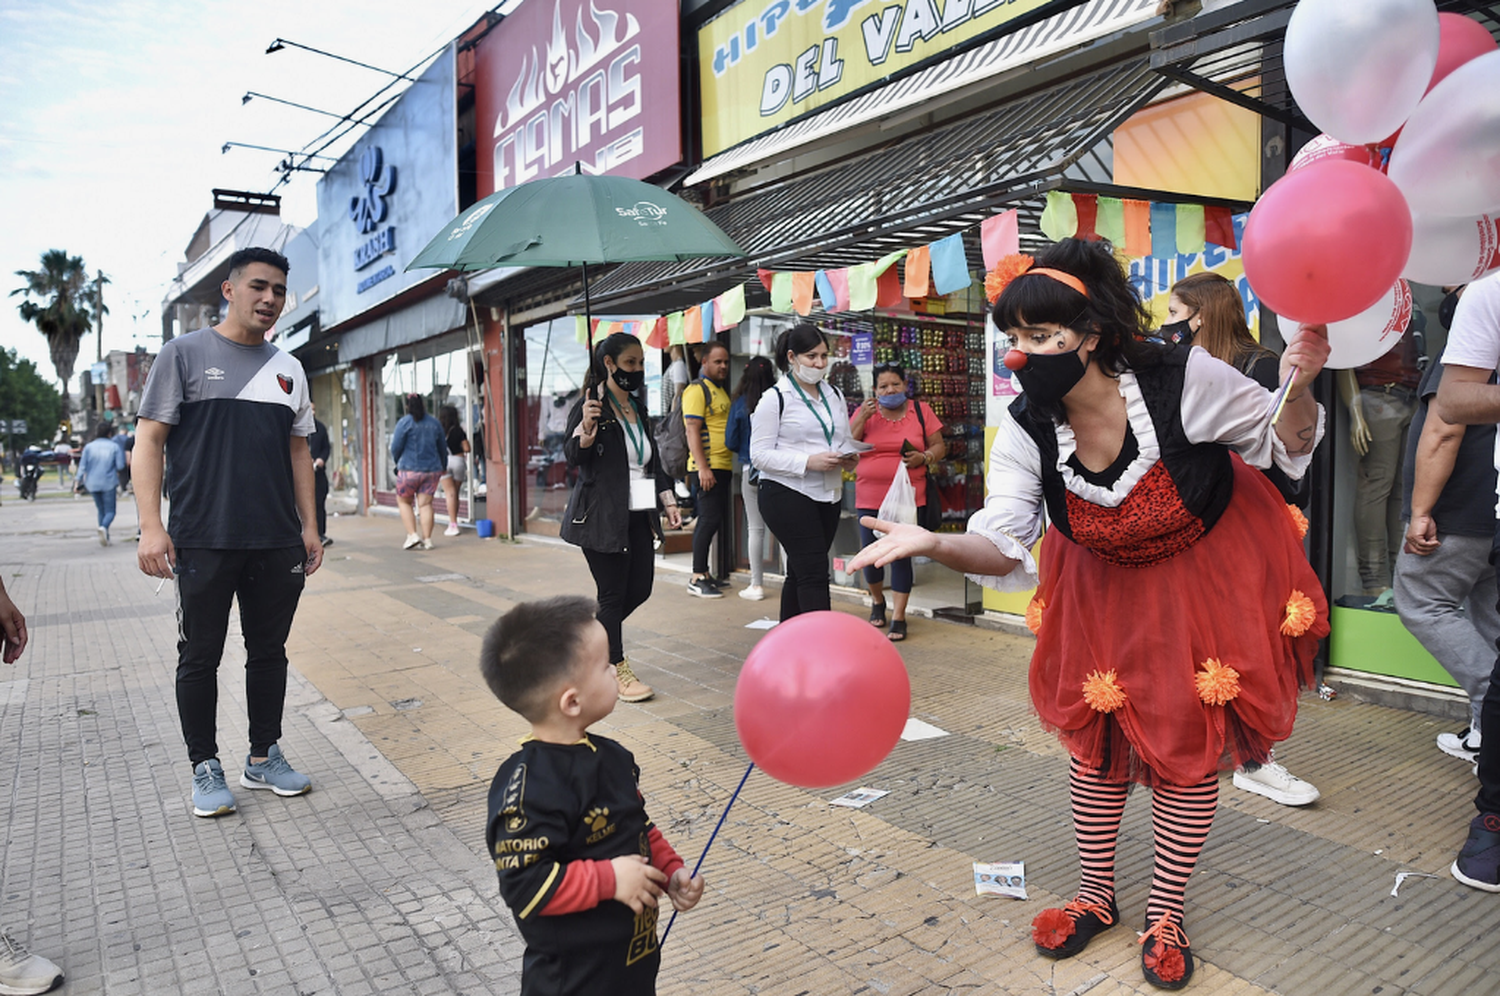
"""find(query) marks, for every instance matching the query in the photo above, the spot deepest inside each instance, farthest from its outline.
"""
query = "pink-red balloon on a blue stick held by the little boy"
(821, 700)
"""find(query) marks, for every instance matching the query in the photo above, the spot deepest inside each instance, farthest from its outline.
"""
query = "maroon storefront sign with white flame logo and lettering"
(571, 82)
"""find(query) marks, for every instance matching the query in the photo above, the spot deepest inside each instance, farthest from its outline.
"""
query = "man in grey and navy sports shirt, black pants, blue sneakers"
(226, 418)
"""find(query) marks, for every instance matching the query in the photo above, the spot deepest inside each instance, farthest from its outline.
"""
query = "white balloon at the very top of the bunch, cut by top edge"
(1358, 68)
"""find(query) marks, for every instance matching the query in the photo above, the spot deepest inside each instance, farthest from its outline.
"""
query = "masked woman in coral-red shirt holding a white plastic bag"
(893, 478)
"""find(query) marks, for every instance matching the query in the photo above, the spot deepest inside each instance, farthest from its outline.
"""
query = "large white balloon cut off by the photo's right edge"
(1448, 158)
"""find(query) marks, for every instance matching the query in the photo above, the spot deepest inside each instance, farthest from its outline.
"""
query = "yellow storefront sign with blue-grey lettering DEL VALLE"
(766, 62)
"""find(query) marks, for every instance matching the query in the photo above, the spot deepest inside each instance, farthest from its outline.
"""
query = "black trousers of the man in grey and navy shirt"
(268, 586)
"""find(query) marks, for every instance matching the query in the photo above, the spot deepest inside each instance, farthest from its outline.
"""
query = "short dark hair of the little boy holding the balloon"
(533, 649)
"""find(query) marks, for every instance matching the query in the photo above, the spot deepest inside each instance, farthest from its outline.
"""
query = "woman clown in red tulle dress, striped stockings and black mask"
(1141, 455)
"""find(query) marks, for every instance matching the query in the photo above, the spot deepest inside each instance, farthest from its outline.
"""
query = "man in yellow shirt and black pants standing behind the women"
(710, 463)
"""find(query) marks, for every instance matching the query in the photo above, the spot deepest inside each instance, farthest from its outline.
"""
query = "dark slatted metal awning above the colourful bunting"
(913, 193)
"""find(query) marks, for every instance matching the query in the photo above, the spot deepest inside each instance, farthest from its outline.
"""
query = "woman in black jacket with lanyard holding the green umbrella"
(622, 488)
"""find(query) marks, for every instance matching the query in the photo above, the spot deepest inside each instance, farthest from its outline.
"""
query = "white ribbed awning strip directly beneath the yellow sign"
(1027, 47)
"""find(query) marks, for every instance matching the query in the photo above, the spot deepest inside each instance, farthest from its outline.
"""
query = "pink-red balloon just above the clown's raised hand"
(1324, 244)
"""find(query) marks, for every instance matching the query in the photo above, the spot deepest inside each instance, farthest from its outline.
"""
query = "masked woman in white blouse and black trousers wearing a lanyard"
(800, 445)
